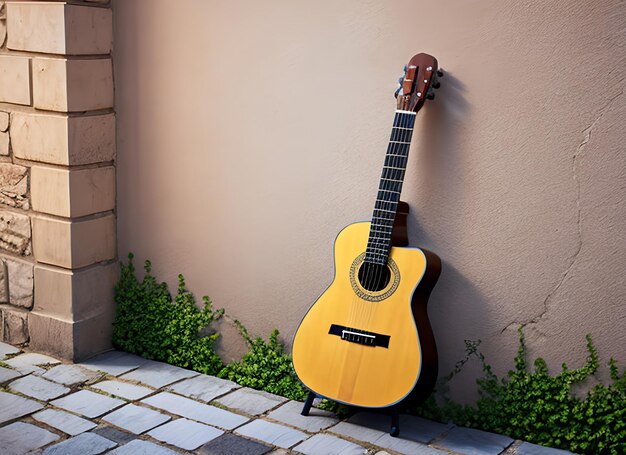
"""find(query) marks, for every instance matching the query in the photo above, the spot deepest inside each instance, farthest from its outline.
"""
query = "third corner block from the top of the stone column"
(59, 139)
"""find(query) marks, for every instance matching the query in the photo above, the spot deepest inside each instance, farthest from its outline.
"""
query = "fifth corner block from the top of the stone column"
(74, 244)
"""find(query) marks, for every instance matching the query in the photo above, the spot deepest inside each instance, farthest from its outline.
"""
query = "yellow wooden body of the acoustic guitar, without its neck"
(348, 368)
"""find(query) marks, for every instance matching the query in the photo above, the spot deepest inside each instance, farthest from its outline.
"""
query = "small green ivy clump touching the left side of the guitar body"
(265, 367)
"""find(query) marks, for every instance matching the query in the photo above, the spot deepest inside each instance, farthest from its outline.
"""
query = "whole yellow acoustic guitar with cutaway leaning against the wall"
(367, 341)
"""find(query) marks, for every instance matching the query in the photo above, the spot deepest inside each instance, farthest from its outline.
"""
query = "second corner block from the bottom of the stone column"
(75, 295)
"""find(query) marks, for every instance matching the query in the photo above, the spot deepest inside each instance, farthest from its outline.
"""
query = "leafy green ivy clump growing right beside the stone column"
(151, 324)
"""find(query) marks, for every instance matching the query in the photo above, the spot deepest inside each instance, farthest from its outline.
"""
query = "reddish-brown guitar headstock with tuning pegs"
(421, 77)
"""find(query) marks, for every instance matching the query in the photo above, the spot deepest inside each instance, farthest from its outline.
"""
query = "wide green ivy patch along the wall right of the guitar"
(534, 406)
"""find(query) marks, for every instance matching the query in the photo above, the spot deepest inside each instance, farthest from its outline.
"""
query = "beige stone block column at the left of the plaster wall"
(57, 176)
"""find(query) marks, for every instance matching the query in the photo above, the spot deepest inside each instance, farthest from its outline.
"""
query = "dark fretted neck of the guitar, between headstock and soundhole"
(389, 188)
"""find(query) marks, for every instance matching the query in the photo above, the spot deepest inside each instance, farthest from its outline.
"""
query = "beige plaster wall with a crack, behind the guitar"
(250, 133)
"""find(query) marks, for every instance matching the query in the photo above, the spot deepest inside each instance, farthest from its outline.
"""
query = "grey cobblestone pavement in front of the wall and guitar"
(121, 404)
